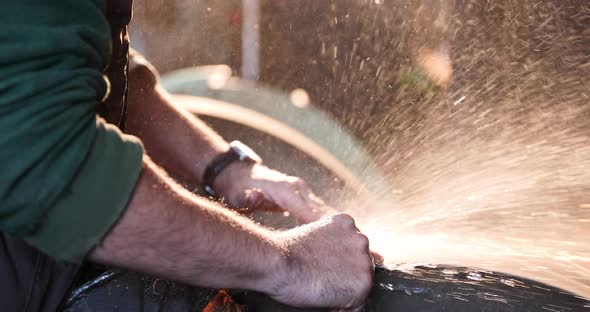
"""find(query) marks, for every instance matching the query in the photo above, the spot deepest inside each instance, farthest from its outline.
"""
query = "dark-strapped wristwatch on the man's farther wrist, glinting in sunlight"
(238, 152)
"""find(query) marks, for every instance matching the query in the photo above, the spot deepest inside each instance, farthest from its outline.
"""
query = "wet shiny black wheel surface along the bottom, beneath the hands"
(422, 289)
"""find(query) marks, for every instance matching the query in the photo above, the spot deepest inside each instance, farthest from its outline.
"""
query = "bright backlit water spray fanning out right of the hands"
(490, 167)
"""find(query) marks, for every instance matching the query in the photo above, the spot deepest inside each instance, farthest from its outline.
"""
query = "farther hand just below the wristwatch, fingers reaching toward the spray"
(258, 187)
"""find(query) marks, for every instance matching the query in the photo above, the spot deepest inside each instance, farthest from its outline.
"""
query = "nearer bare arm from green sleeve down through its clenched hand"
(168, 232)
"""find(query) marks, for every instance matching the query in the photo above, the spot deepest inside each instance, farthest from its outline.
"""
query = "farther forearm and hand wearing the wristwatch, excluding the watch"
(184, 146)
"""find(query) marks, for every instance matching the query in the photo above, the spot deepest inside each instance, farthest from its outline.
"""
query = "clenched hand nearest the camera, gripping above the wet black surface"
(328, 264)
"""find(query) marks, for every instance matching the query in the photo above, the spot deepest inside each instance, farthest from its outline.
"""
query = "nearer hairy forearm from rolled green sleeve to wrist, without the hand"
(168, 232)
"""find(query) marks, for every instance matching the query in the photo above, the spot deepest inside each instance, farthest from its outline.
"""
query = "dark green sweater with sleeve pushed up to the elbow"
(65, 175)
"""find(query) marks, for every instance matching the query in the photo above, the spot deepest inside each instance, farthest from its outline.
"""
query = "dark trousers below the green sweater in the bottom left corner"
(30, 280)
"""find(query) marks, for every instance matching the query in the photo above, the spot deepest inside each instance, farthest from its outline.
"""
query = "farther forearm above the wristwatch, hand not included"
(175, 139)
